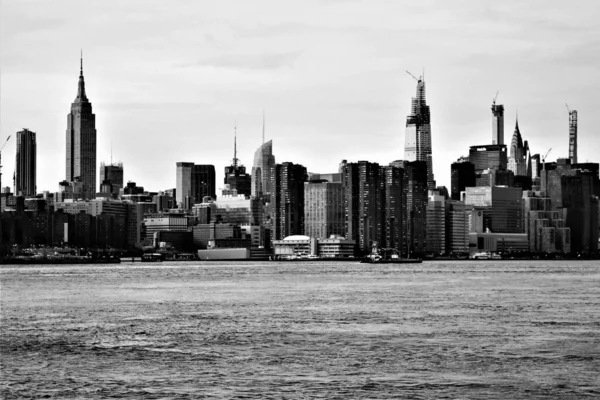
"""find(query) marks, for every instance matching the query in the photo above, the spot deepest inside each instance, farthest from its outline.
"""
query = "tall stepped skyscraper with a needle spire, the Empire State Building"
(81, 141)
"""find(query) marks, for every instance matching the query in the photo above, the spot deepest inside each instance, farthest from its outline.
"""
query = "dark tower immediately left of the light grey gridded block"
(288, 200)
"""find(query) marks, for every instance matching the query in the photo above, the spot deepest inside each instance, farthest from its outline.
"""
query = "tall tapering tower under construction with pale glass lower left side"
(418, 133)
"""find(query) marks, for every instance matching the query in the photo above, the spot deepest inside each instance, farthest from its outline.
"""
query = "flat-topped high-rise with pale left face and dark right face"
(194, 182)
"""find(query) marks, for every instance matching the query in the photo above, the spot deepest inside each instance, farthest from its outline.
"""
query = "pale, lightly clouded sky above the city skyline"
(169, 80)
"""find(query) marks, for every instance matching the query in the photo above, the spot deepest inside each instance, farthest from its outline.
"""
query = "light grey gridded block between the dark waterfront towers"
(324, 209)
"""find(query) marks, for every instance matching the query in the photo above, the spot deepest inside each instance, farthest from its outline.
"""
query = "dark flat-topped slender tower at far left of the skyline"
(25, 165)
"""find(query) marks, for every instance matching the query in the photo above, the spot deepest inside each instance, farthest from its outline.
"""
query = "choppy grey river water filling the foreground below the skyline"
(302, 330)
